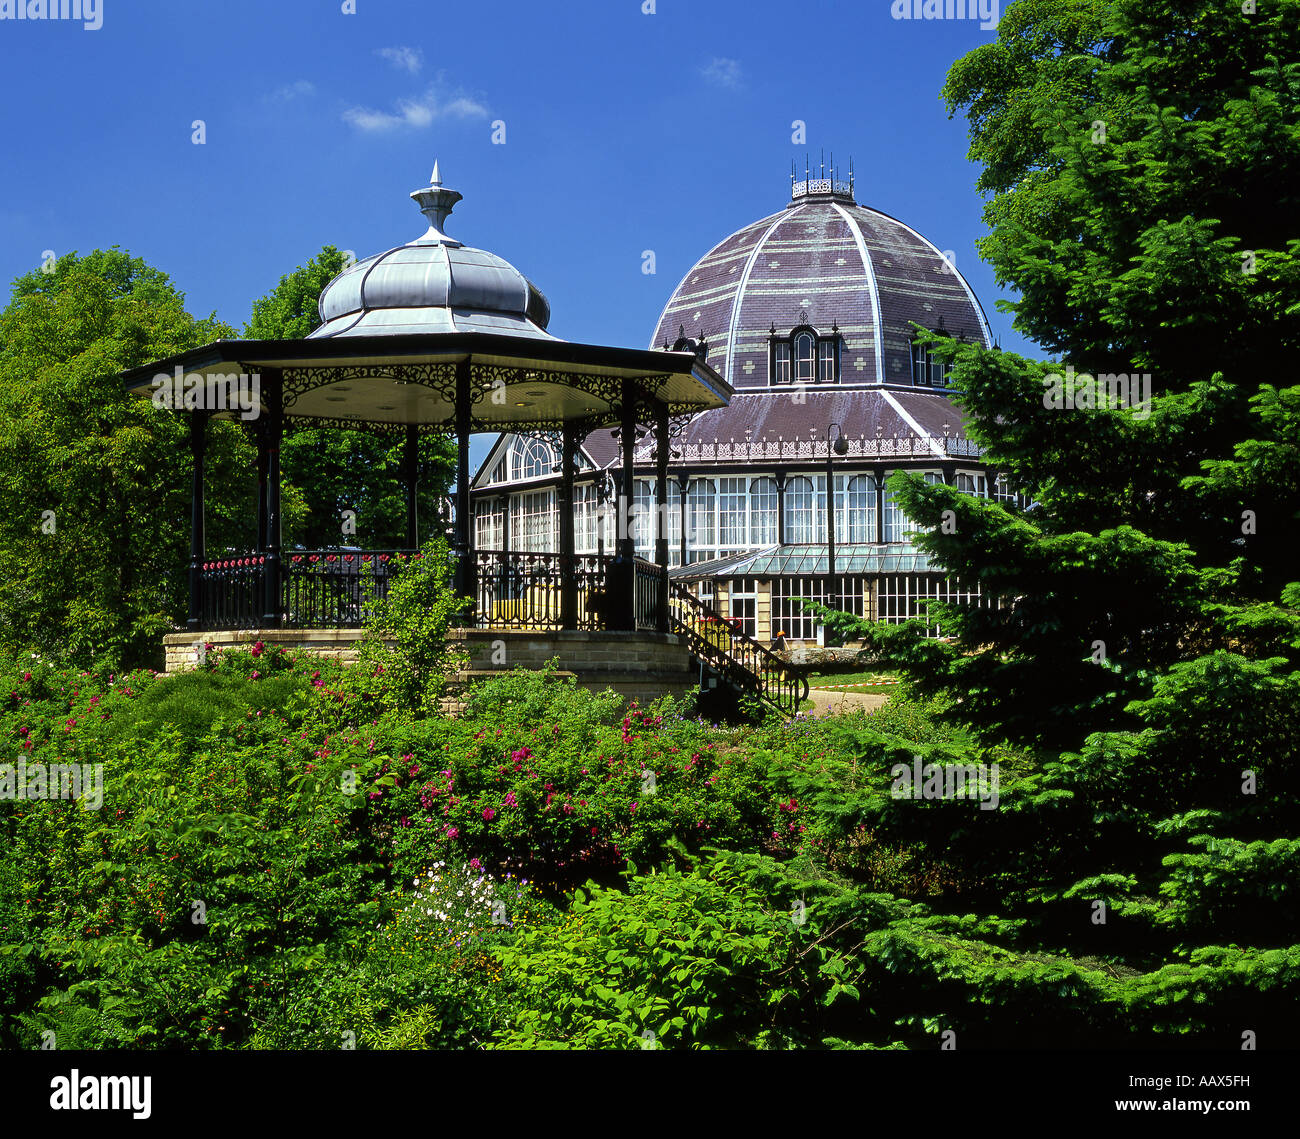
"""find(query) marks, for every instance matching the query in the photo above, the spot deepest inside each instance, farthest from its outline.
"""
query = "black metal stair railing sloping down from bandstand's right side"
(742, 661)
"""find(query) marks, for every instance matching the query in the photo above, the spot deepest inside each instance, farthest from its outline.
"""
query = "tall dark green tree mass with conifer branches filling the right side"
(1139, 627)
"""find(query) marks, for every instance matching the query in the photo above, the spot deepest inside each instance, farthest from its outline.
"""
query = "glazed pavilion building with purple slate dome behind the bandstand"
(812, 317)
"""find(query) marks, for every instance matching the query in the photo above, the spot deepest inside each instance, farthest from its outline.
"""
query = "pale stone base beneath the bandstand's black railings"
(638, 666)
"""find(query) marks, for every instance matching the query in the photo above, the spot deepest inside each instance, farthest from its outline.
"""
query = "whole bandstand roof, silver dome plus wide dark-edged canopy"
(413, 337)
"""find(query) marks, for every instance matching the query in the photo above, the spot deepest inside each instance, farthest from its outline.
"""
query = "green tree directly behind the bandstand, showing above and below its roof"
(339, 470)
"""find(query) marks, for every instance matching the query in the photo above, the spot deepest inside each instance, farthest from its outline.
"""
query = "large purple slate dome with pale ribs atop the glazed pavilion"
(825, 262)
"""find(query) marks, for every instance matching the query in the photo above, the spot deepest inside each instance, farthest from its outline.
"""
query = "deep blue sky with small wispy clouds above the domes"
(625, 132)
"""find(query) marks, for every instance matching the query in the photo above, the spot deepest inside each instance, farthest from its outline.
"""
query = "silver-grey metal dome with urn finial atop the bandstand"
(434, 285)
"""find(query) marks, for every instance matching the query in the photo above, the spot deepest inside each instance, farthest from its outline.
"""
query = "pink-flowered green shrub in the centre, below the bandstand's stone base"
(541, 774)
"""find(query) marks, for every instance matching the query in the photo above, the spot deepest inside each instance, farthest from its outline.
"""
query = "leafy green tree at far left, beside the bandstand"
(94, 486)
